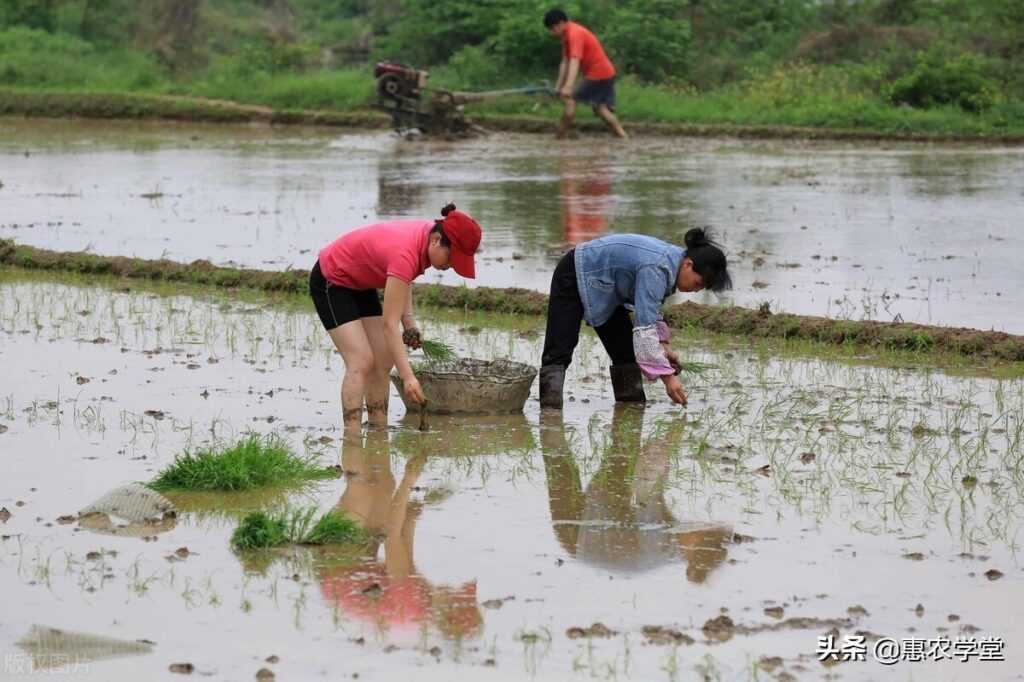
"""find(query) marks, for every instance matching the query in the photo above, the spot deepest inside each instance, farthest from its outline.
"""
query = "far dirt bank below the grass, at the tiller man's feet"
(101, 106)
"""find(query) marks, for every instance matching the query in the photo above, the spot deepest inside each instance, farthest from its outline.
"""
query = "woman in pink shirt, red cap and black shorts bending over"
(344, 285)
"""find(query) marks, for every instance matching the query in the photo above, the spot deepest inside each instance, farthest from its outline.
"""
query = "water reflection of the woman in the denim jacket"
(622, 521)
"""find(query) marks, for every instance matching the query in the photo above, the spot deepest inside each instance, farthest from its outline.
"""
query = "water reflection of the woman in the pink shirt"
(389, 592)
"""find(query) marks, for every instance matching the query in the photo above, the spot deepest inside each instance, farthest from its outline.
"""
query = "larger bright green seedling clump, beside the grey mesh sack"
(253, 462)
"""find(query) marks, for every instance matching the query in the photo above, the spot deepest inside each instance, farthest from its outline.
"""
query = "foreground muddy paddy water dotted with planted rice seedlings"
(794, 497)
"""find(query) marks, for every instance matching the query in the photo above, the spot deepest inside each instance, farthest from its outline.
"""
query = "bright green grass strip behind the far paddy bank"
(838, 99)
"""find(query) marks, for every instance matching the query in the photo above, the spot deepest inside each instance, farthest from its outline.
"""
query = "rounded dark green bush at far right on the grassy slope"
(940, 79)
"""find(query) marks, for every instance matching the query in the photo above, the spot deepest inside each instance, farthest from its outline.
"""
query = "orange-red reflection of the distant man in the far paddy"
(586, 191)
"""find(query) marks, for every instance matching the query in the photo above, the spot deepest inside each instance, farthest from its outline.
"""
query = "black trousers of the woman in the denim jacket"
(566, 317)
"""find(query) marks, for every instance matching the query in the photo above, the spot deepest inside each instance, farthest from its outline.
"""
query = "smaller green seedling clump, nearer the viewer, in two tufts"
(262, 531)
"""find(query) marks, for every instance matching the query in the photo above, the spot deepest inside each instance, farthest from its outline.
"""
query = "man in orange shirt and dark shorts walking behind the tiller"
(582, 52)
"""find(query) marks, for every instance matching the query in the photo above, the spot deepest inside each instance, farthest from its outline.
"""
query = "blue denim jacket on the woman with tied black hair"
(626, 269)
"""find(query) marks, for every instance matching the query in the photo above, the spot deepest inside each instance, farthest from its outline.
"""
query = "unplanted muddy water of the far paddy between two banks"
(922, 234)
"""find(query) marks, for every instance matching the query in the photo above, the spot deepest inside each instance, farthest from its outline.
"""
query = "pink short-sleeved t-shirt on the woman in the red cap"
(364, 259)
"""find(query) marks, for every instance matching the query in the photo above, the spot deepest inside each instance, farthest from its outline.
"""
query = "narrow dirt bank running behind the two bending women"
(724, 320)
